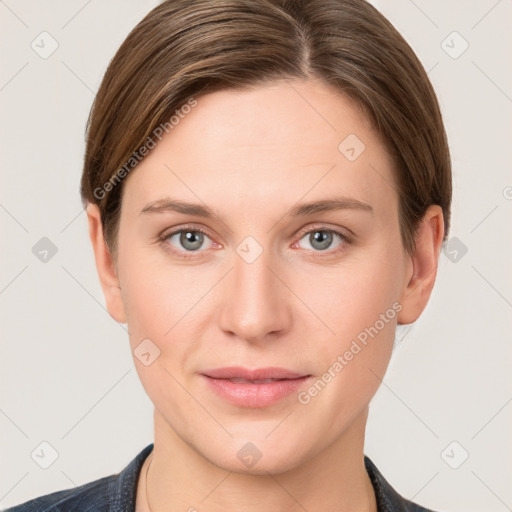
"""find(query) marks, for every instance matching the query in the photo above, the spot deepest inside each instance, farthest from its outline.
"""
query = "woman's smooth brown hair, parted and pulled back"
(185, 48)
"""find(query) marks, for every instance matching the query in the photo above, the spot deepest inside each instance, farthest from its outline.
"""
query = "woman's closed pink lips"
(256, 388)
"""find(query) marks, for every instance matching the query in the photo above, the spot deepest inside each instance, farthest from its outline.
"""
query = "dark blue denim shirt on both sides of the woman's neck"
(116, 493)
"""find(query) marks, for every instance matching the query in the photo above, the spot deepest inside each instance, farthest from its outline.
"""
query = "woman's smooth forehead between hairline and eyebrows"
(282, 142)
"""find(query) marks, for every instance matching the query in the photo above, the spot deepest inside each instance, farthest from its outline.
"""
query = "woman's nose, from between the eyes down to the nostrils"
(255, 305)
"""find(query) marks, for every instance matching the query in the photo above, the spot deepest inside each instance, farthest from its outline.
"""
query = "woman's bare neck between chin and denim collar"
(182, 479)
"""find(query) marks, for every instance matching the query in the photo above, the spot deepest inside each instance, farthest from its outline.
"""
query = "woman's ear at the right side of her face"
(421, 268)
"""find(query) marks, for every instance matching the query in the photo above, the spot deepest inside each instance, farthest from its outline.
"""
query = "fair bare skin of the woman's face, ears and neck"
(253, 155)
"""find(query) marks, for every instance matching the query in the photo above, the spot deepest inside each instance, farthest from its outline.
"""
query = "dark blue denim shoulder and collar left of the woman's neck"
(114, 493)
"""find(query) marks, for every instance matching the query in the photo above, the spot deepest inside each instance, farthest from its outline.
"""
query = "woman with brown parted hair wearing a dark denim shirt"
(268, 187)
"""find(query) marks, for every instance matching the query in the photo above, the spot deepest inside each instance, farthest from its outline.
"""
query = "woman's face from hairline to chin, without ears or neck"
(309, 296)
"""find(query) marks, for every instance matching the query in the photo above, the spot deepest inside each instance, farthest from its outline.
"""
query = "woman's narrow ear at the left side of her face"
(105, 265)
